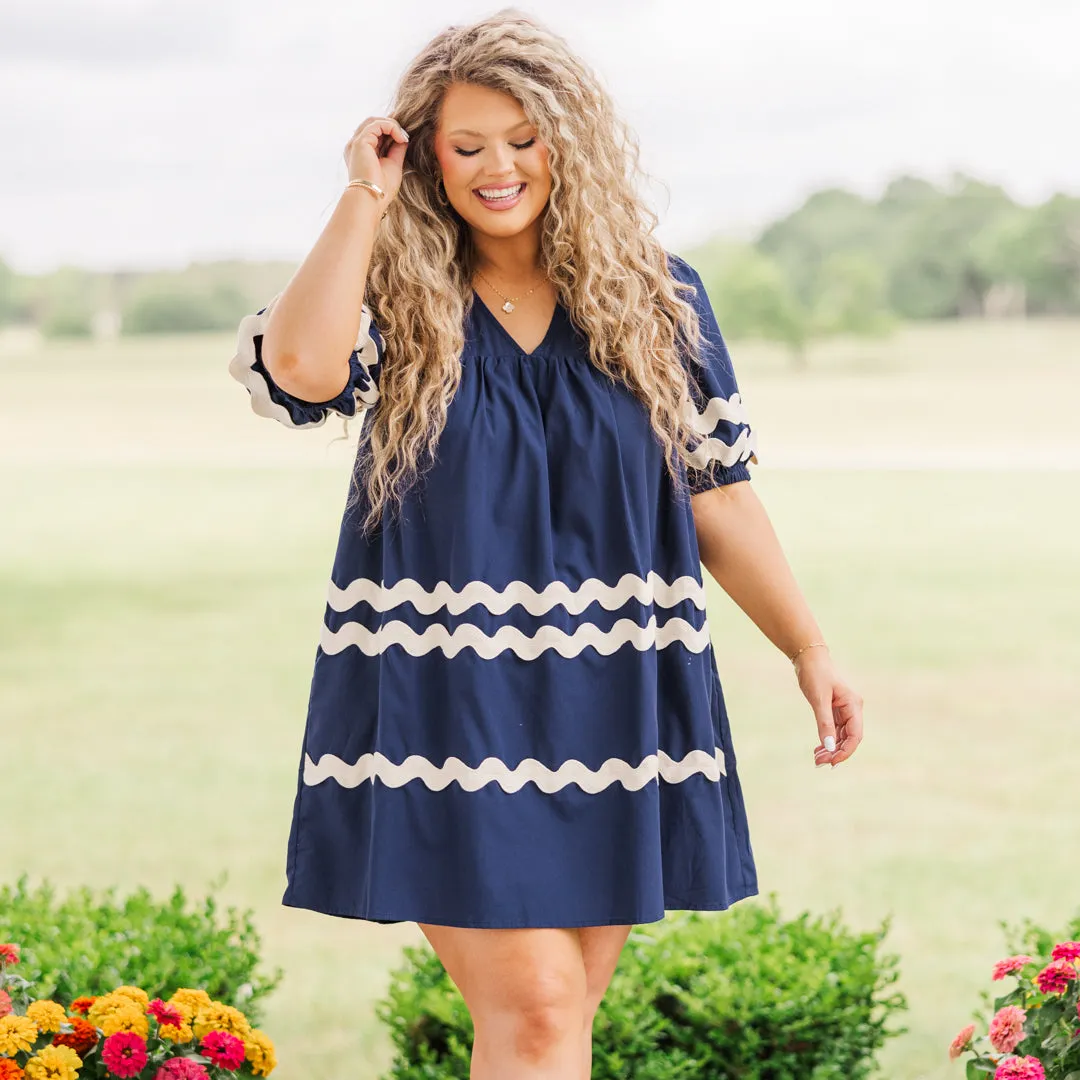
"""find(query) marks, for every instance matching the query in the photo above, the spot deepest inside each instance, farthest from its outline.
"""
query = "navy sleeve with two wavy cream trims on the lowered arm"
(726, 441)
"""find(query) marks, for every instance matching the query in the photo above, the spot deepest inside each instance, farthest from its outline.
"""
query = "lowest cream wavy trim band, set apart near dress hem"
(492, 769)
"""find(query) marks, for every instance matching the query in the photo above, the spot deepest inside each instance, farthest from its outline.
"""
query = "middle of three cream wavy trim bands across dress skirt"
(470, 637)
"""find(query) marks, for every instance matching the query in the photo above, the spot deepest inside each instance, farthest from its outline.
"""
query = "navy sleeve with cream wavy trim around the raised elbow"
(267, 399)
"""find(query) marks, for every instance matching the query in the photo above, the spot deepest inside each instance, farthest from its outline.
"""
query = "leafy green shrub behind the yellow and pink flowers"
(91, 944)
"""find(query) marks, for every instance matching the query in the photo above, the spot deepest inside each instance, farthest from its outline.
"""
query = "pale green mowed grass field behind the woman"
(164, 562)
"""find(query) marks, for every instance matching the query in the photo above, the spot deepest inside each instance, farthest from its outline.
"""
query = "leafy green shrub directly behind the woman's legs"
(737, 994)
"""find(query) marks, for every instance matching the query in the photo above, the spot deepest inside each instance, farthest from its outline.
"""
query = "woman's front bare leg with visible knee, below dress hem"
(526, 992)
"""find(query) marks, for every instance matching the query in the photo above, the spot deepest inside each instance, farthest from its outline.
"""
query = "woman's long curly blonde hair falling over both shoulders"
(598, 249)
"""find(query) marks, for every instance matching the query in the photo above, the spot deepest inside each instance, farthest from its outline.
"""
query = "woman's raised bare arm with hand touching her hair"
(315, 321)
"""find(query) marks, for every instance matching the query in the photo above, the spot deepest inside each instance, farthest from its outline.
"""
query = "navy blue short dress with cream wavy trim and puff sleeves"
(516, 717)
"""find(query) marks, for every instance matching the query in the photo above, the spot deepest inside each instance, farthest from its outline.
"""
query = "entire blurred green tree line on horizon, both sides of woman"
(840, 264)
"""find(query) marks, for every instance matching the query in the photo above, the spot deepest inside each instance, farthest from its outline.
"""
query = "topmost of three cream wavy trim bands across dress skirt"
(650, 590)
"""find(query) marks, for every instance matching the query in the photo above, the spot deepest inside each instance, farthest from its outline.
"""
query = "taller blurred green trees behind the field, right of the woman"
(846, 264)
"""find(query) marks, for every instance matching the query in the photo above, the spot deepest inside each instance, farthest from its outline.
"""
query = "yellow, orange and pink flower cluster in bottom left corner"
(125, 1035)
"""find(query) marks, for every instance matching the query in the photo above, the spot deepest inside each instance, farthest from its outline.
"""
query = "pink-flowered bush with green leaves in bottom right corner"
(1035, 1032)
